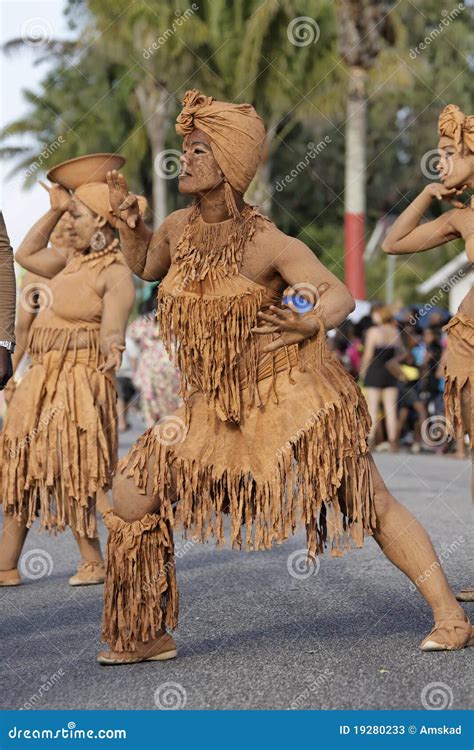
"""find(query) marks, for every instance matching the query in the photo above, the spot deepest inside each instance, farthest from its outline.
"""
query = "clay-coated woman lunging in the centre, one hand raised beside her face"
(272, 431)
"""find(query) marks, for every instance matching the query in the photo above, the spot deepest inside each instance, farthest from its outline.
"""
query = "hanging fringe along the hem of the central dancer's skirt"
(311, 472)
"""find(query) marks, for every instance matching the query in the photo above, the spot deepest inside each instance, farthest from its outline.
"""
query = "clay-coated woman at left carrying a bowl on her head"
(59, 443)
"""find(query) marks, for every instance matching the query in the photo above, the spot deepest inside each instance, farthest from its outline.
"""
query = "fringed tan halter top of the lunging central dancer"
(206, 310)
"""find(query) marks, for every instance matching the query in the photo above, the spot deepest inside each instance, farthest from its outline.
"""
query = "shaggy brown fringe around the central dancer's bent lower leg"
(140, 594)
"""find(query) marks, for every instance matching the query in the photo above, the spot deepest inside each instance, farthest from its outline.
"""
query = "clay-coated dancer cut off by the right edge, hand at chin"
(409, 235)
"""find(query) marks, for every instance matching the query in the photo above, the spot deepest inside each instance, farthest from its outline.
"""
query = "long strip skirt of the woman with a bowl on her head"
(59, 443)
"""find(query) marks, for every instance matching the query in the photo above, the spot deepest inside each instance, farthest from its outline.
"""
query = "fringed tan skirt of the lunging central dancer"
(301, 457)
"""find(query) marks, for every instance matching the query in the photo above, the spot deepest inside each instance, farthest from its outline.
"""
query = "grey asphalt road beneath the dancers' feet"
(251, 635)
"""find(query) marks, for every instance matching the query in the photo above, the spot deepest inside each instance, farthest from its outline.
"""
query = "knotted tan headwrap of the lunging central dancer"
(237, 136)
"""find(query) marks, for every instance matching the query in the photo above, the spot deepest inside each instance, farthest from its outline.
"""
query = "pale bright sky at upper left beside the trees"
(37, 19)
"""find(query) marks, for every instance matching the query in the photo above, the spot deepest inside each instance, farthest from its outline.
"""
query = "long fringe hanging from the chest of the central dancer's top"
(204, 337)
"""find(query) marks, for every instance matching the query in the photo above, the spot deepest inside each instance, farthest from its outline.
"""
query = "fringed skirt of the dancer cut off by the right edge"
(459, 372)
